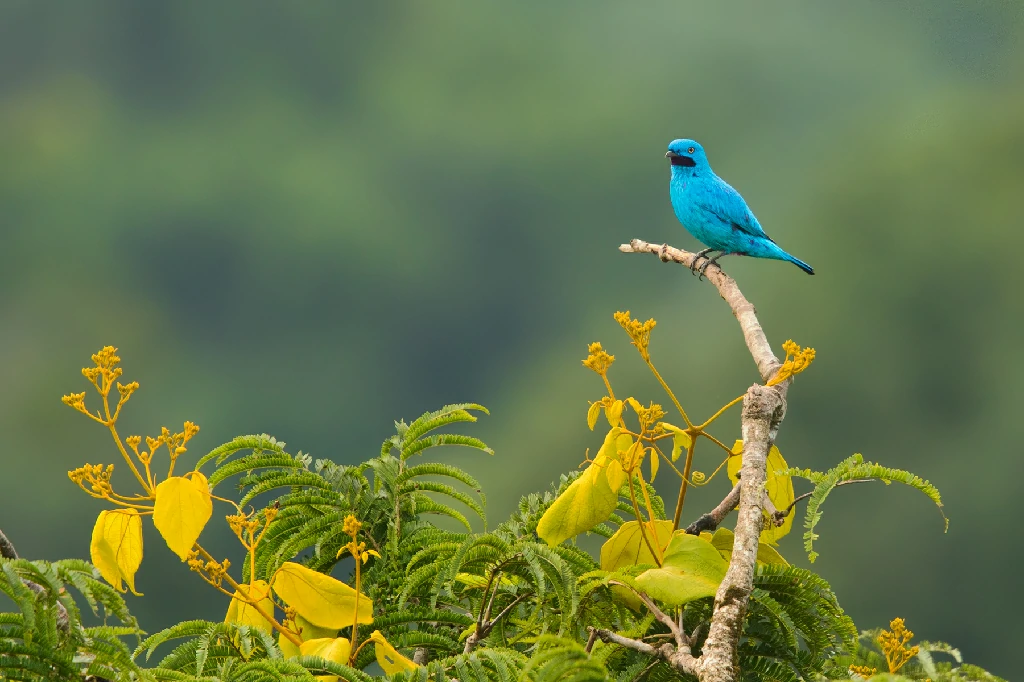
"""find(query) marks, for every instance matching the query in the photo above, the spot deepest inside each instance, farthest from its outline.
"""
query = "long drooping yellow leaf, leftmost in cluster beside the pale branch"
(591, 498)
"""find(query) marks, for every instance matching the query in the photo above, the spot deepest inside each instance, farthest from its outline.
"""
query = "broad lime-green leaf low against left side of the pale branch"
(693, 570)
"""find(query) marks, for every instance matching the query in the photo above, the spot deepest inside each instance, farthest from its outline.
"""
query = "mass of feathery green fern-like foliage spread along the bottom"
(488, 606)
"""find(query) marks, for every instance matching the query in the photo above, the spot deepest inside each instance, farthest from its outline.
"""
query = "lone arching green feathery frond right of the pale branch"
(855, 468)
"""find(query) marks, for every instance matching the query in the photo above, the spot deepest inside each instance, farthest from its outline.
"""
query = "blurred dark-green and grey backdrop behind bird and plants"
(310, 220)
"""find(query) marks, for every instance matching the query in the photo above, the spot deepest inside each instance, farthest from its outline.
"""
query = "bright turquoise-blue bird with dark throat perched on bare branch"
(715, 214)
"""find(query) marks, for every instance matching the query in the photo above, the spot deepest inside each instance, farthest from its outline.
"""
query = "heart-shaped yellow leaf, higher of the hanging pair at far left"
(183, 508)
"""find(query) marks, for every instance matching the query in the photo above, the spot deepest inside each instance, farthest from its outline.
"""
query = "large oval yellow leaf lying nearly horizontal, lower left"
(323, 601)
